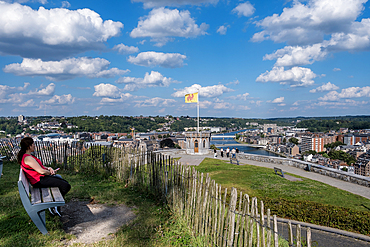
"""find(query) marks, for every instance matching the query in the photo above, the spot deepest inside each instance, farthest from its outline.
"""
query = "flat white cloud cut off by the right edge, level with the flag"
(351, 92)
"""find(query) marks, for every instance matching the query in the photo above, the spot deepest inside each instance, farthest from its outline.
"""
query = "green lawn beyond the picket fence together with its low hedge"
(307, 200)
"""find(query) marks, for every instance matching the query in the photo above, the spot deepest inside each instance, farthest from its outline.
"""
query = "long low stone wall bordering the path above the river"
(334, 173)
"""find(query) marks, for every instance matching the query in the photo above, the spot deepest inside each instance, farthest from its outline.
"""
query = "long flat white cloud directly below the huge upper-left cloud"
(65, 69)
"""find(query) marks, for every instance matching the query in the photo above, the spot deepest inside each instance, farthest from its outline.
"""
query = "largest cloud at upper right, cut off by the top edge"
(306, 24)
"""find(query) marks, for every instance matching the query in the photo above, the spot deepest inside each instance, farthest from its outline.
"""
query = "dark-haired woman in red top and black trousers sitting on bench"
(39, 175)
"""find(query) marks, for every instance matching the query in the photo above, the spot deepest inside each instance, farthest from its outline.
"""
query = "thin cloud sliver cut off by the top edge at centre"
(162, 3)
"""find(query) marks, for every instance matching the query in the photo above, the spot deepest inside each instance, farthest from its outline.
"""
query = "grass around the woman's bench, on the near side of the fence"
(153, 226)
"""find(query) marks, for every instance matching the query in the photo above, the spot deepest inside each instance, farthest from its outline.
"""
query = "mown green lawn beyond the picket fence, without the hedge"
(262, 182)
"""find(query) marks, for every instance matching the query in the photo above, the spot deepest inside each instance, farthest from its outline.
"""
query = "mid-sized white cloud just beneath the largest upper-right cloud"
(297, 55)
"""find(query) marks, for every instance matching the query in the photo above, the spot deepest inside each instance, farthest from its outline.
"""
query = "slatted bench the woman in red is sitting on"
(36, 200)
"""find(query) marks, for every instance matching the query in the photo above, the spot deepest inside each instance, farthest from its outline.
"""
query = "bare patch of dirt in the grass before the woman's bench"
(91, 222)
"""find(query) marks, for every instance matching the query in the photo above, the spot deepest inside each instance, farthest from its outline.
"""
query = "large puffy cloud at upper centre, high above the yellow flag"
(162, 24)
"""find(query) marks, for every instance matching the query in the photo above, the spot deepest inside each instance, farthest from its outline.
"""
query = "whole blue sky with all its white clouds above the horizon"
(250, 59)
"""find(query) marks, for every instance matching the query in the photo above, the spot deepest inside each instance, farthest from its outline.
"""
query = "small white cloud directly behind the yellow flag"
(209, 91)
